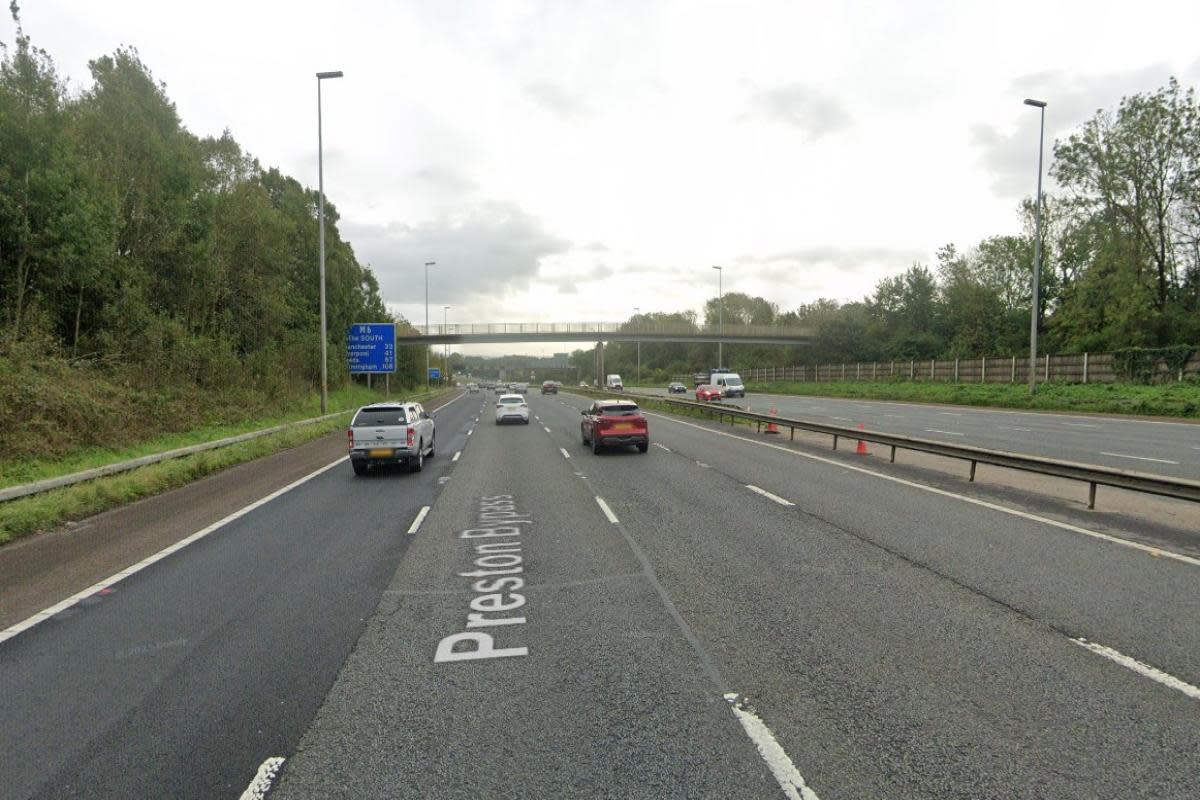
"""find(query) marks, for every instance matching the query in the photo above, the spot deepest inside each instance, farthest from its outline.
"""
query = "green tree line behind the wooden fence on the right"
(1121, 267)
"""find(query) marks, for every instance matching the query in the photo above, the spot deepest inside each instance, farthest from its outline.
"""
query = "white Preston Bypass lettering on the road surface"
(499, 554)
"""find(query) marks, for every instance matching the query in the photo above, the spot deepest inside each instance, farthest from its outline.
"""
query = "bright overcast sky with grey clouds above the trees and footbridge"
(572, 161)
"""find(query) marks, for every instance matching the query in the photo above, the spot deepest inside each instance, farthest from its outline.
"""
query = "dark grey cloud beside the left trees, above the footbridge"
(491, 250)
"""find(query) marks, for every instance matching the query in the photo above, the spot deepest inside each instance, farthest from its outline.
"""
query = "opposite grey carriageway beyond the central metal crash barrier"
(1155, 447)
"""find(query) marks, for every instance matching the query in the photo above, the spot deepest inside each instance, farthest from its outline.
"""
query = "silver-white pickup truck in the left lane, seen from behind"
(392, 434)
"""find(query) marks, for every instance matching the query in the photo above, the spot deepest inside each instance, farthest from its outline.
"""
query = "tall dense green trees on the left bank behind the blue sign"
(129, 242)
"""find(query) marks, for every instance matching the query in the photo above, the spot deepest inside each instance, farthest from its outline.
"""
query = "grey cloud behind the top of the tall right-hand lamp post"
(1011, 157)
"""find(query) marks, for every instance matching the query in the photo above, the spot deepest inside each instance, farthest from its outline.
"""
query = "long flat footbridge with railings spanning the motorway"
(500, 333)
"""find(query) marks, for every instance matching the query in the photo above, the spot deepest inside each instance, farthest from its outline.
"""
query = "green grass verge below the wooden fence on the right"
(1180, 400)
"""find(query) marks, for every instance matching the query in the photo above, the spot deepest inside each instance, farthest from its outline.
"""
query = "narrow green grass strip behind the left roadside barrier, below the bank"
(27, 471)
